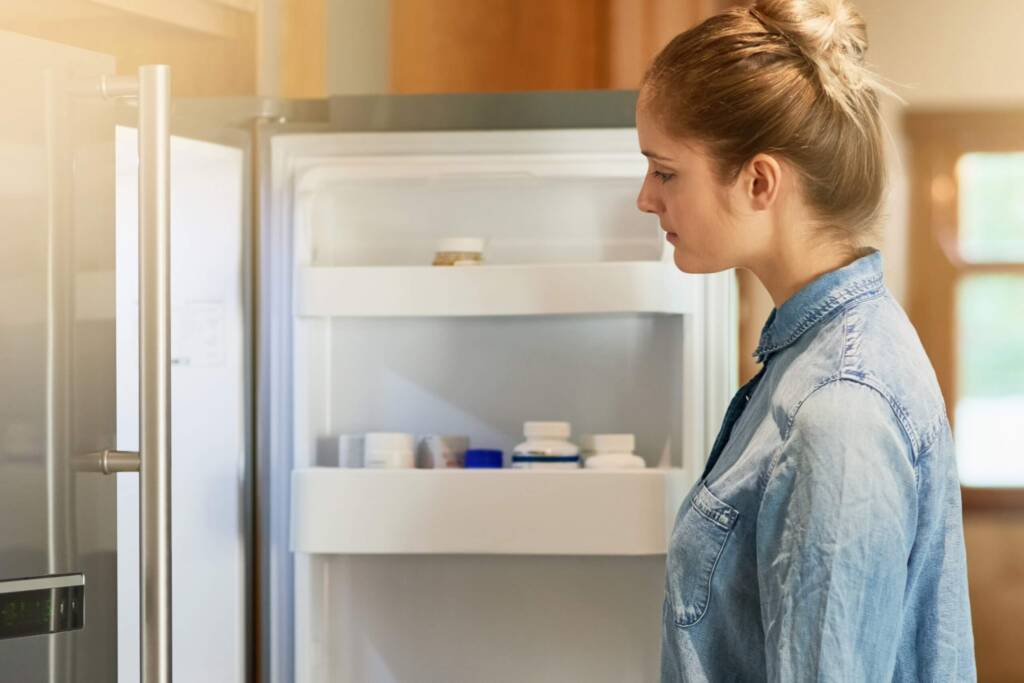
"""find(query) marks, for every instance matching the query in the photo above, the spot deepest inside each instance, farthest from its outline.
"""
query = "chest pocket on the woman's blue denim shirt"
(698, 542)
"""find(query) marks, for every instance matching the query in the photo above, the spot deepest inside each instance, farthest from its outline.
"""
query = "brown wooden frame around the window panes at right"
(937, 140)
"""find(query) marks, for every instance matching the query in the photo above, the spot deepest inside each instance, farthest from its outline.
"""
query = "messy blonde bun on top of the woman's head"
(832, 36)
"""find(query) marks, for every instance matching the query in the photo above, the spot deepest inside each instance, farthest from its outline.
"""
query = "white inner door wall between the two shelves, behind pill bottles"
(484, 377)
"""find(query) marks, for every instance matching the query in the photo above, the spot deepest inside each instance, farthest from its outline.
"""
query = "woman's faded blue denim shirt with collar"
(825, 541)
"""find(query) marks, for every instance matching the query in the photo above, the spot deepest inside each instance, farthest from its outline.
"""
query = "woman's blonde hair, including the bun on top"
(785, 77)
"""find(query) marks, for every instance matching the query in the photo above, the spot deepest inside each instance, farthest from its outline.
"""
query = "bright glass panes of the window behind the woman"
(990, 408)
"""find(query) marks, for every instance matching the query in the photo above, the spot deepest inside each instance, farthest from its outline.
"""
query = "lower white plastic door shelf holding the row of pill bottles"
(514, 513)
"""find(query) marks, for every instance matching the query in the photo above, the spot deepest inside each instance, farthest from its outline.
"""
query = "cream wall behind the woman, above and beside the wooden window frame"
(940, 54)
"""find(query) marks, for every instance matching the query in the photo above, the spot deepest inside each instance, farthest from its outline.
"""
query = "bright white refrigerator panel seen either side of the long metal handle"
(208, 379)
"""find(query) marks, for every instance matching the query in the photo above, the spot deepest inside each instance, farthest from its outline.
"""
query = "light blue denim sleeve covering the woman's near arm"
(834, 537)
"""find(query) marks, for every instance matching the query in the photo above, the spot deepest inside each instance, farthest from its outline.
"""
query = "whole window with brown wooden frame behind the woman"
(967, 288)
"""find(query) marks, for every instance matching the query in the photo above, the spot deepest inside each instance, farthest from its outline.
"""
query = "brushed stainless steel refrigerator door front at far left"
(57, 348)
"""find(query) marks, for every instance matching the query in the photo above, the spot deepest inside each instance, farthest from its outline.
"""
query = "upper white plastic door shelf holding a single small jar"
(638, 287)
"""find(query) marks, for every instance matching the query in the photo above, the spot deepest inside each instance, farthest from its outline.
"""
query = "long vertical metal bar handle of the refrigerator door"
(155, 370)
